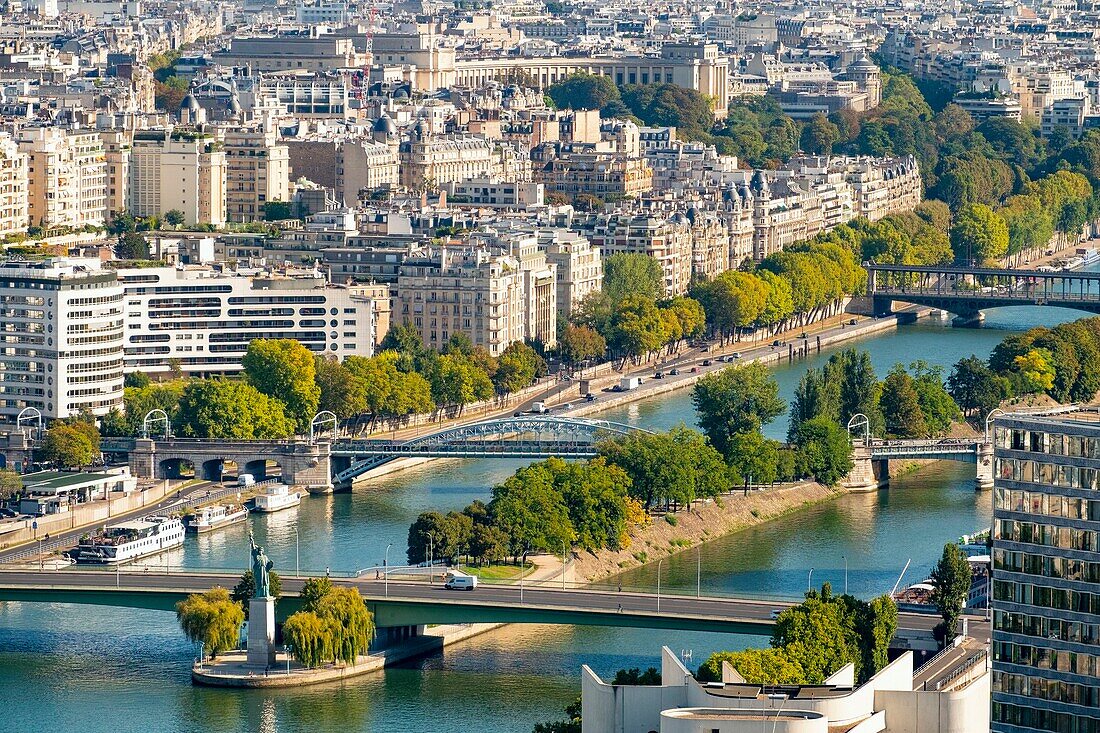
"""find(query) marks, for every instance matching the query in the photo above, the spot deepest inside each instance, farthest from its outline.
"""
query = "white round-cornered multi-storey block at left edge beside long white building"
(61, 338)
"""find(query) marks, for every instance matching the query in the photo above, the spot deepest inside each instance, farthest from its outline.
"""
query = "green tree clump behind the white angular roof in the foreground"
(816, 639)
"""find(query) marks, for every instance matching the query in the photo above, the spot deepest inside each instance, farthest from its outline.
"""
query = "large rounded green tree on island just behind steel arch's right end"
(735, 401)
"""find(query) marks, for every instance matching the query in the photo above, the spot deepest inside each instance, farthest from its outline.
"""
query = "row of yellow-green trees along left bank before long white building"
(285, 386)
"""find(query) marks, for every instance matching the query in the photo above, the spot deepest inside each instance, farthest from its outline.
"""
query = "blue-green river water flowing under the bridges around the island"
(85, 670)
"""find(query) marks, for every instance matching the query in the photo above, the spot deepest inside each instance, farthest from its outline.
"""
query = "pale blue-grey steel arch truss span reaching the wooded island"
(532, 437)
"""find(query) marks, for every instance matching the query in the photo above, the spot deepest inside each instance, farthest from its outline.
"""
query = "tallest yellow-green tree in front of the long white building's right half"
(284, 369)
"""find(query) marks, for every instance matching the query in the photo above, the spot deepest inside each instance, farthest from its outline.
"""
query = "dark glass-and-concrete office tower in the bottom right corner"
(1047, 574)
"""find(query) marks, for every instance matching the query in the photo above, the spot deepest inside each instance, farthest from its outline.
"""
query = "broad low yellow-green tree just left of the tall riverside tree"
(225, 409)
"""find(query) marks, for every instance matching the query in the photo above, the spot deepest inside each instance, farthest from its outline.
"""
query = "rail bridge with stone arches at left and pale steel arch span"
(325, 463)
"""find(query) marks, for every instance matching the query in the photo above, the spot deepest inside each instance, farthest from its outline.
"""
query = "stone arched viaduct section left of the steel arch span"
(301, 463)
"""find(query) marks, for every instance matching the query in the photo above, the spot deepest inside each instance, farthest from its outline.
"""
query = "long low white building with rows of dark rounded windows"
(205, 319)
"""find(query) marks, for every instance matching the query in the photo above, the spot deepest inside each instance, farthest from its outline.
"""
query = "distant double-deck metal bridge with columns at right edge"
(969, 291)
